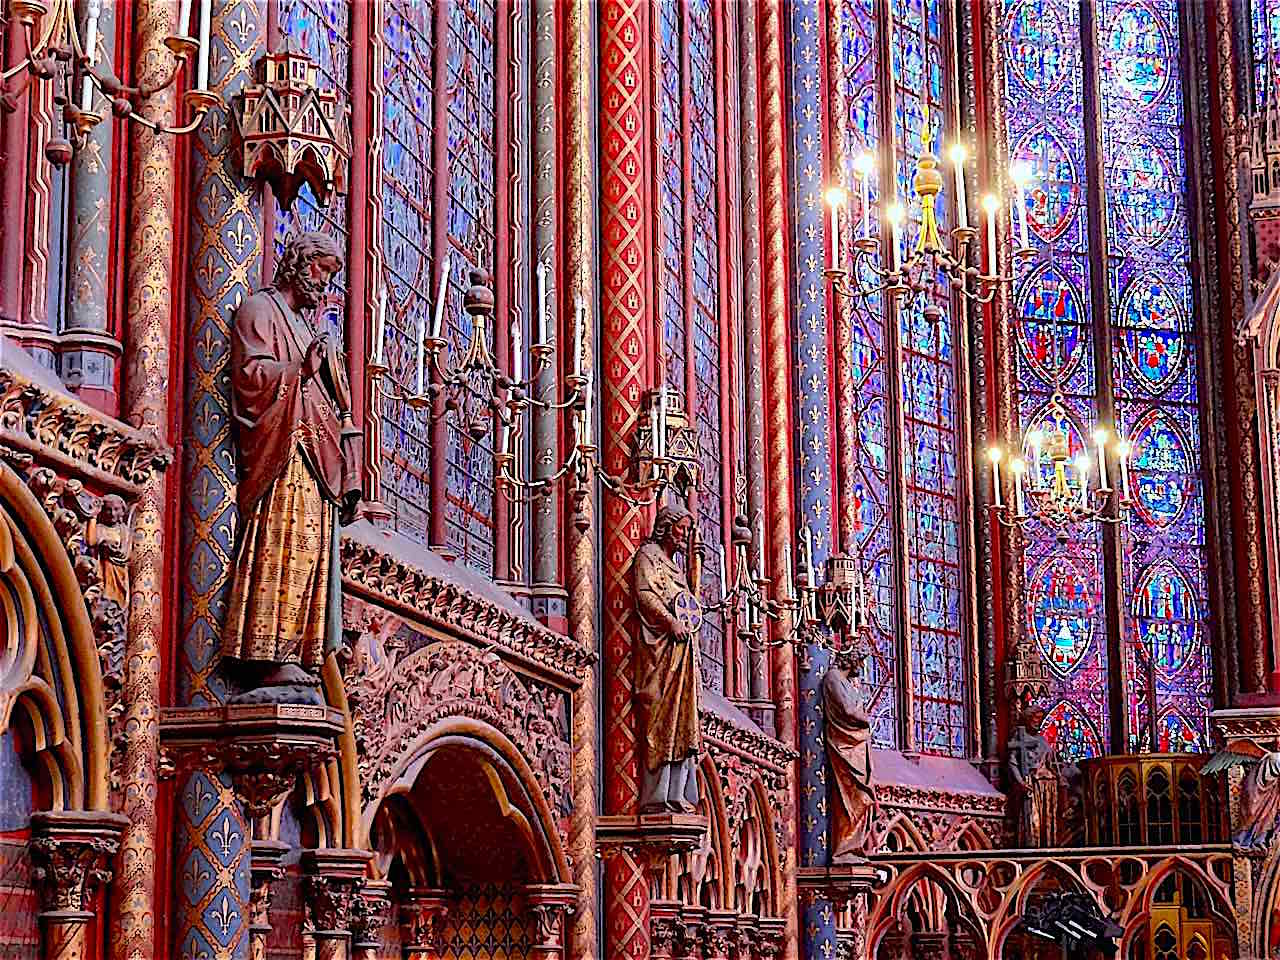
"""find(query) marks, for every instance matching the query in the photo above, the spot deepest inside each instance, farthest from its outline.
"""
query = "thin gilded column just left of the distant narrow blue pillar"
(778, 364)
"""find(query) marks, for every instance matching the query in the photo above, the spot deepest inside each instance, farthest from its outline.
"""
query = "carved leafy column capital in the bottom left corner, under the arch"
(72, 857)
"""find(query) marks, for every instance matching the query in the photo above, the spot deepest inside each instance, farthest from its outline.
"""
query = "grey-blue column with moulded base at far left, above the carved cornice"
(89, 353)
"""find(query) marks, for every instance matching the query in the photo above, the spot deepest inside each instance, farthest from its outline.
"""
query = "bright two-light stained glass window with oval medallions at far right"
(1135, 363)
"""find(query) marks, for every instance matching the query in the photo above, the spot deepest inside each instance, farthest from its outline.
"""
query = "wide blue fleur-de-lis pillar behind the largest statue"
(213, 916)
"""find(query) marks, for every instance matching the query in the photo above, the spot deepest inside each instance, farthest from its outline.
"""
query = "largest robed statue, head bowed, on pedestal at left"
(299, 472)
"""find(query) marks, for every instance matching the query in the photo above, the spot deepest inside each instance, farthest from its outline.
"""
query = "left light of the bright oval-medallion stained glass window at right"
(1045, 111)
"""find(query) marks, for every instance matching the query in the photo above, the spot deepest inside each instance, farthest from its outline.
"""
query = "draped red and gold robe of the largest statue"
(286, 595)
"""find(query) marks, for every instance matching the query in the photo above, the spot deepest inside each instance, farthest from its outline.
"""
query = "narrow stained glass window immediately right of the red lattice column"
(689, 268)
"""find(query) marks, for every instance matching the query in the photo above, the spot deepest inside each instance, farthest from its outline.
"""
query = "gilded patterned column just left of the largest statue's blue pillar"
(147, 406)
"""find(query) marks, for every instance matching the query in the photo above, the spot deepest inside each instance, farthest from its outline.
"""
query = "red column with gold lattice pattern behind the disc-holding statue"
(627, 258)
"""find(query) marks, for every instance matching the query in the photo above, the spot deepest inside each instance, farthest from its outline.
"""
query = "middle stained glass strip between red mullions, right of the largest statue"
(406, 234)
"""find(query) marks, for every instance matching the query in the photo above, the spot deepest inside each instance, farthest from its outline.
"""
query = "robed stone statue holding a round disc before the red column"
(666, 665)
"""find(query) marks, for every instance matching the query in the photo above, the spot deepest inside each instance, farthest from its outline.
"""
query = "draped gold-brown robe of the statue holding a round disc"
(666, 673)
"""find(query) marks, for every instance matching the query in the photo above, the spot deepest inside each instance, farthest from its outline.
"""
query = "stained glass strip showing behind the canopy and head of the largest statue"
(322, 30)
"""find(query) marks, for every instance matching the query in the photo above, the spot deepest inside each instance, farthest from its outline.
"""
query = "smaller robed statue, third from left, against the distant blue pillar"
(849, 752)
